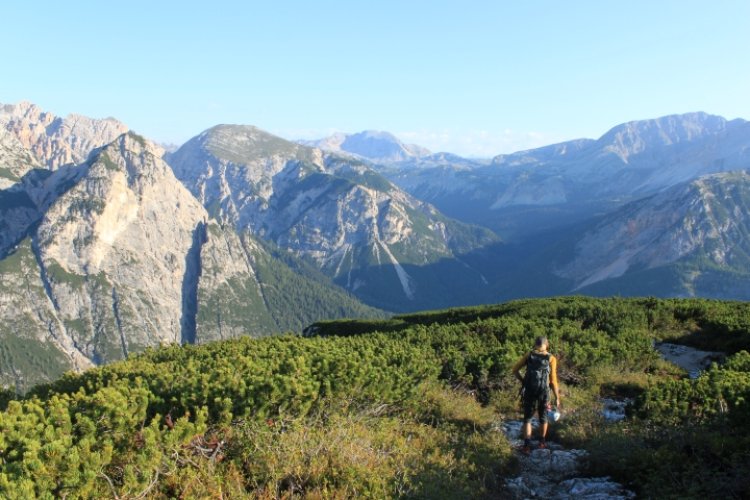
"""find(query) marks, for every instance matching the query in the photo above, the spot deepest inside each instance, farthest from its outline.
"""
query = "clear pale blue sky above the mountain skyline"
(473, 77)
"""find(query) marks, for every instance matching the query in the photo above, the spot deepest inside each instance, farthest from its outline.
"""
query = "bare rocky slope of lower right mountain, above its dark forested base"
(708, 216)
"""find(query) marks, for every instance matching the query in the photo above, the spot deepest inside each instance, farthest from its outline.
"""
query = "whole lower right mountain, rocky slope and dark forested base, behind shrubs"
(690, 240)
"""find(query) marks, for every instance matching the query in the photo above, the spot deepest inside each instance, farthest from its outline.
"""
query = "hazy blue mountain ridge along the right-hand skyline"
(569, 182)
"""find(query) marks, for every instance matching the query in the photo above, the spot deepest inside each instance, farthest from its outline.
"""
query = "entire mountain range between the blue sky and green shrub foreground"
(109, 244)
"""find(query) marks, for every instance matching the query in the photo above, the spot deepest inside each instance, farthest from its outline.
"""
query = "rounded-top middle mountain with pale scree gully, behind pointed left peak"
(364, 232)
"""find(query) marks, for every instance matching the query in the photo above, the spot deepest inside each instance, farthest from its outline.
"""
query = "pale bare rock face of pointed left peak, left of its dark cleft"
(115, 244)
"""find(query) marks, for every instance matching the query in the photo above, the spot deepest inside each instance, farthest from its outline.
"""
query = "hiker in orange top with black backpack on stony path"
(540, 374)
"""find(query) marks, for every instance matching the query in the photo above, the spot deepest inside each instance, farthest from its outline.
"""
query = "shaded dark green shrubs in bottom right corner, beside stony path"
(689, 438)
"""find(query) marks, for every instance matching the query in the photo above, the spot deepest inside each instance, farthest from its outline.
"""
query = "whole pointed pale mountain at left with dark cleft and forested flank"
(116, 255)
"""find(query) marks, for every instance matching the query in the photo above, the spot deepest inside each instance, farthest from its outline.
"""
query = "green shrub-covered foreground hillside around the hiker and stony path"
(400, 407)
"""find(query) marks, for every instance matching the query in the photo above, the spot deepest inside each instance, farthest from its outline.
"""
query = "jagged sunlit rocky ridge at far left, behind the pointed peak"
(57, 141)
